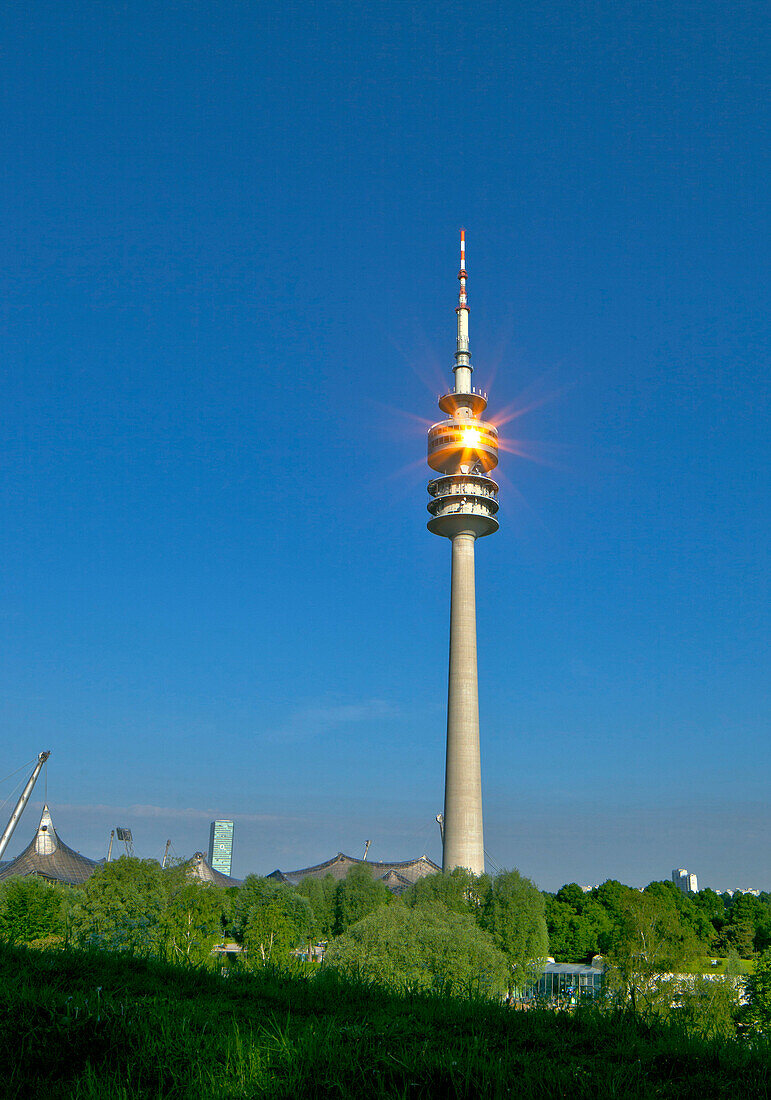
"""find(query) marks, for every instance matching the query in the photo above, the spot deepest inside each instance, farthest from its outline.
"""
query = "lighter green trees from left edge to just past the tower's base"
(451, 930)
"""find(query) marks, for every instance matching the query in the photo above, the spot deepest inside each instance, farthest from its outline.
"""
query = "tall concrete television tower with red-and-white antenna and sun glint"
(464, 449)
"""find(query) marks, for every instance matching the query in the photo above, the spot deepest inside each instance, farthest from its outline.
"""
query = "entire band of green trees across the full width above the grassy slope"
(479, 928)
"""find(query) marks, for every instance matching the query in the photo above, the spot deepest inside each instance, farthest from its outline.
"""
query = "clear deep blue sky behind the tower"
(229, 248)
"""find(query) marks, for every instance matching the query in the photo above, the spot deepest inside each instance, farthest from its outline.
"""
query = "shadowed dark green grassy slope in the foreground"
(114, 1028)
